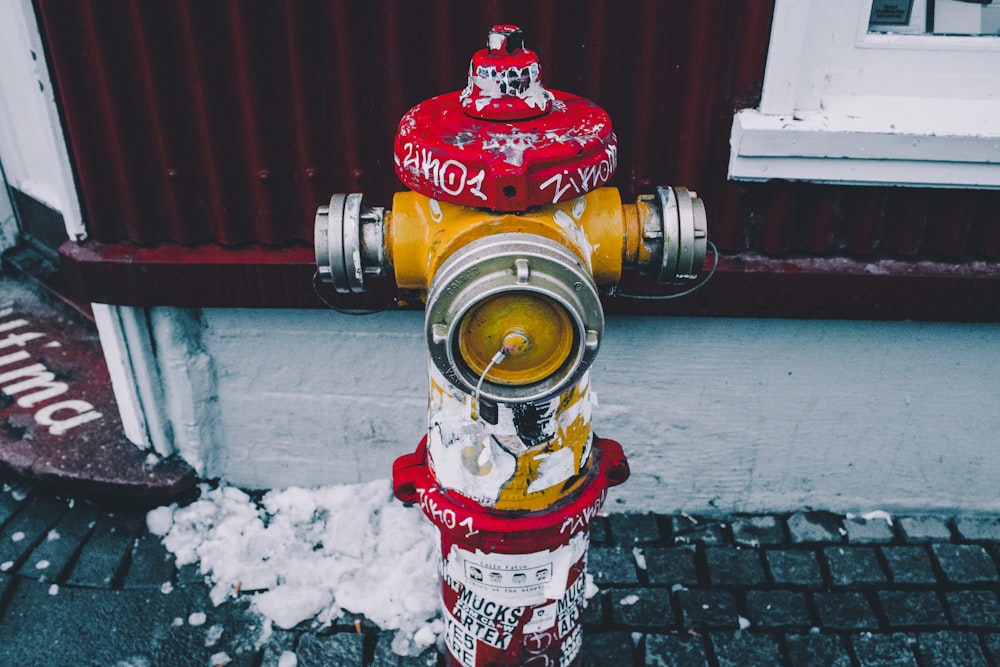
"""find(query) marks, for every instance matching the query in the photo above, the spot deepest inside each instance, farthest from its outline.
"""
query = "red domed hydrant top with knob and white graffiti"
(505, 143)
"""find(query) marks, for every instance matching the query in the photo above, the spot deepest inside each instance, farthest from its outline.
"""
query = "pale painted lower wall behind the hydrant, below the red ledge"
(714, 414)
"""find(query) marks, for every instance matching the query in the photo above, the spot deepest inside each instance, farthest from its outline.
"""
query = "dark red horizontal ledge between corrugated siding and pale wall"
(744, 285)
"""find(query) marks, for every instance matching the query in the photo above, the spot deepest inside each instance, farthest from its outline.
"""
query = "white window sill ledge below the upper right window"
(858, 144)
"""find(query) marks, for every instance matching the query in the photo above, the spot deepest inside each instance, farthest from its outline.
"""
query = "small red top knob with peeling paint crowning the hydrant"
(505, 79)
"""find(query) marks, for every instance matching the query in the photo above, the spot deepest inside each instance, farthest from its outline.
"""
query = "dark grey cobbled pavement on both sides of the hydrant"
(82, 584)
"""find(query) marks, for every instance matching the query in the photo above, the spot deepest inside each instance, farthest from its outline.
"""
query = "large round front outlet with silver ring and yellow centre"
(491, 290)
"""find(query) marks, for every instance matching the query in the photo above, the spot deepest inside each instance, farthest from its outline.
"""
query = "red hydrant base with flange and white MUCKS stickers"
(513, 583)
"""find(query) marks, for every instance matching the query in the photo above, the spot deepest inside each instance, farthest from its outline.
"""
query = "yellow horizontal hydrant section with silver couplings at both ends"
(663, 235)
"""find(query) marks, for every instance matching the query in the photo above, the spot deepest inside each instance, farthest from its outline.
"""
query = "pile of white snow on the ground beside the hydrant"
(313, 554)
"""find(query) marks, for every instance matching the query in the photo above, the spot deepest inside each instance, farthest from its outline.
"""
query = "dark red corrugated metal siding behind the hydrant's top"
(229, 121)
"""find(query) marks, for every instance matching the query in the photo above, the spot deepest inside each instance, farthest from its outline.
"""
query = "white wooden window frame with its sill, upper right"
(840, 105)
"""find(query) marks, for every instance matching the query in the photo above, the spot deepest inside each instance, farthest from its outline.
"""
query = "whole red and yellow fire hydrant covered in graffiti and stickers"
(510, 235)
